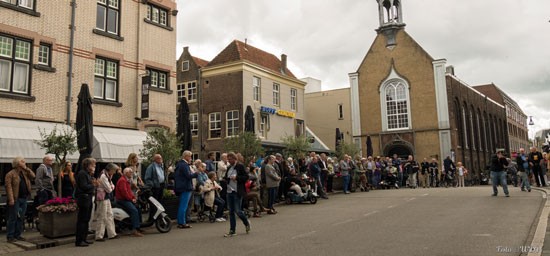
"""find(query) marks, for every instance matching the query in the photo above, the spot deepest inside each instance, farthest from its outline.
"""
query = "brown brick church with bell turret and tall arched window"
(412, 104)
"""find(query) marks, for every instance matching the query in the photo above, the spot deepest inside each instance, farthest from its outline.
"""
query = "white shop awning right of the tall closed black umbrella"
(115, 144)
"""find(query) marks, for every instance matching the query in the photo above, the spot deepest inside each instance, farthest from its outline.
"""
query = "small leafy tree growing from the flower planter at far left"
(59, 142)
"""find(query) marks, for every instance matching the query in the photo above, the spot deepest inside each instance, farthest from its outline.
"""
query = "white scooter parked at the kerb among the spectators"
(162, 222)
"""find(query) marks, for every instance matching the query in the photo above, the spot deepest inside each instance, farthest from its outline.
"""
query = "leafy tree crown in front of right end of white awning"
(163, 142)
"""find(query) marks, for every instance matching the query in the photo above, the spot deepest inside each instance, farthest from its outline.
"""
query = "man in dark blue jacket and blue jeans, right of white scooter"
(183, 179)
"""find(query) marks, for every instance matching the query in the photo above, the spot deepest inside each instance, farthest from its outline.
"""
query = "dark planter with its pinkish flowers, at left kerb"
(57, 217)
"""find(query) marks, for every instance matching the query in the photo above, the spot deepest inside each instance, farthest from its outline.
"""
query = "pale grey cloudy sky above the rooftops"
(506, 42)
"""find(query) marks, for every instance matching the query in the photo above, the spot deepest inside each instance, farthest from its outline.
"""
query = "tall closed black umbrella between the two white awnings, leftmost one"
(84, 124)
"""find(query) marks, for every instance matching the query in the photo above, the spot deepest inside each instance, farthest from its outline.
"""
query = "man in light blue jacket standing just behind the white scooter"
(155, 178)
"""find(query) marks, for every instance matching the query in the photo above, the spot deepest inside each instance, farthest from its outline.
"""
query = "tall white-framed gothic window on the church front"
(396, 105)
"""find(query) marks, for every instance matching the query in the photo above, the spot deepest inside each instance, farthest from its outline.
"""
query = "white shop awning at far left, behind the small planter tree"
(17, 138)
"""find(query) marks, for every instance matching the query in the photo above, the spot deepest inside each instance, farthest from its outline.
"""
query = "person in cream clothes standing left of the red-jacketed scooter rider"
(104, 212)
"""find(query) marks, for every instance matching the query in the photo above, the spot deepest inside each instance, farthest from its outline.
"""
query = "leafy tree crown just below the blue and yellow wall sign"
(246, 143)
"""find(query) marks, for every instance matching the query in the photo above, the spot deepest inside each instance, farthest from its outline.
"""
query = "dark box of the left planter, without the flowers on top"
(53, 224)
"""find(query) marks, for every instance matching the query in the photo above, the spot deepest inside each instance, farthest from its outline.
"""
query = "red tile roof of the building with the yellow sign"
(238, 50)
